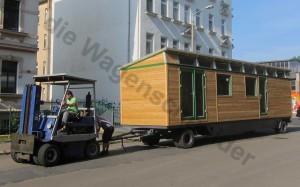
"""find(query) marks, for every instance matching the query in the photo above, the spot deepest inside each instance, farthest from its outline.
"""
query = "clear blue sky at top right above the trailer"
(265, 30)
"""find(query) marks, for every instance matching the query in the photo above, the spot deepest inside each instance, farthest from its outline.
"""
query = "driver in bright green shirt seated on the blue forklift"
(70, 110)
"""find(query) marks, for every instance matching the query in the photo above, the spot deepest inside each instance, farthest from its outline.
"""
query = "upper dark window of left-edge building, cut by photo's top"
(11, 15)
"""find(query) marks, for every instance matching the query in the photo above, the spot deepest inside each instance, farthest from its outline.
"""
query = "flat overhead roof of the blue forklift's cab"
(62, 79)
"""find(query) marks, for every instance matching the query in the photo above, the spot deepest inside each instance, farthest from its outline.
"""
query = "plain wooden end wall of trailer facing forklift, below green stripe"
(143, 96)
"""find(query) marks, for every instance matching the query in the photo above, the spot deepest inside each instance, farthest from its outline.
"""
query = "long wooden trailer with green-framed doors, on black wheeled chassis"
(176, 94)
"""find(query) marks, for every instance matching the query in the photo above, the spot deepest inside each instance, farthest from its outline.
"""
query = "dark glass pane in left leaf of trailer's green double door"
(187, 94)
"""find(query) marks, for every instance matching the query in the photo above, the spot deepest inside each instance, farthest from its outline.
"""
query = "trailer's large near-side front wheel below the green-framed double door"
(185, 139)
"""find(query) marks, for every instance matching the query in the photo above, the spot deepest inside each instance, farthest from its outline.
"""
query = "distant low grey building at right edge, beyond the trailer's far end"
(294, 66)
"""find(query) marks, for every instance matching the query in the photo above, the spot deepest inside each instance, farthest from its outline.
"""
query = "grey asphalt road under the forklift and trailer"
(259, 159)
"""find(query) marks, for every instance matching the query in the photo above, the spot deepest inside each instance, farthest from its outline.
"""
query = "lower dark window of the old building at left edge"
(9, 77)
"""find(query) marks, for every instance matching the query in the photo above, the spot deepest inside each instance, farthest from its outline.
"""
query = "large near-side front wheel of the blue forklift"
(48, 155)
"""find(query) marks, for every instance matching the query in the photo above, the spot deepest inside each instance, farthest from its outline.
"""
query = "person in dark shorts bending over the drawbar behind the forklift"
(108, 129)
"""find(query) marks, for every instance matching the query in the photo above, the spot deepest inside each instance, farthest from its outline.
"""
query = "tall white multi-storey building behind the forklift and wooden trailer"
(109, 34)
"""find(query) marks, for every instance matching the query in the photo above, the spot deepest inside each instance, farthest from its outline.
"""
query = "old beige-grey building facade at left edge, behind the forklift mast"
(18, 48)
